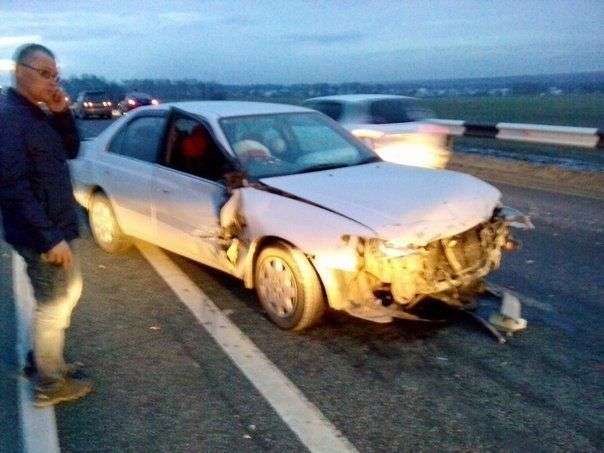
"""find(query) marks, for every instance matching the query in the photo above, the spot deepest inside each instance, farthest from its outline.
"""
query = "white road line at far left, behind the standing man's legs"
(38, 426)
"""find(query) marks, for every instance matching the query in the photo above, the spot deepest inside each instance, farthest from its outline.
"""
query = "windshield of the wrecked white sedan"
(284, 144)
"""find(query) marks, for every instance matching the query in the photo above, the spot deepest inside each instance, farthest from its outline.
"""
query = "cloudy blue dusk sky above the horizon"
(265, 41)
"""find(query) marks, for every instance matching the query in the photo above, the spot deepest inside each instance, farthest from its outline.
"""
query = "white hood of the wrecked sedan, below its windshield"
(407, 205)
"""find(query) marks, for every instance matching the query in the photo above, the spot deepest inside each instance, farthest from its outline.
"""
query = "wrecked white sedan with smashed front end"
(293, 205)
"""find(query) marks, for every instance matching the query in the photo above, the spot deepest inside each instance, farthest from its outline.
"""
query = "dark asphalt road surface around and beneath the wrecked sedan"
(162, 384)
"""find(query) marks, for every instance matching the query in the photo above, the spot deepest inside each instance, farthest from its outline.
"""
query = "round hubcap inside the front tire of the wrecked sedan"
(277, 287)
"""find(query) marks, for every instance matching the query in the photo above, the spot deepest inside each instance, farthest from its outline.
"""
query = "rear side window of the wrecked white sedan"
(142, 138)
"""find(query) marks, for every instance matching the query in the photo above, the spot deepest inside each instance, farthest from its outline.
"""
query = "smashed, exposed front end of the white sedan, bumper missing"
(450, 270)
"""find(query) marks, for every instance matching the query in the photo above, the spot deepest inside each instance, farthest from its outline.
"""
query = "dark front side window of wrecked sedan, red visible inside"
(190, 148)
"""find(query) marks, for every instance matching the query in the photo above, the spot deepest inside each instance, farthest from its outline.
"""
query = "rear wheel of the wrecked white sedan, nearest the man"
(103, 224)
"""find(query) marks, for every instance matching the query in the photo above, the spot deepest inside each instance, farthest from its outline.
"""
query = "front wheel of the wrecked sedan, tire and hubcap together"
(280, 269)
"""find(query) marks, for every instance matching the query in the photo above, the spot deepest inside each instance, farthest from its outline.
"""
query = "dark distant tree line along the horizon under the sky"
(188, 89)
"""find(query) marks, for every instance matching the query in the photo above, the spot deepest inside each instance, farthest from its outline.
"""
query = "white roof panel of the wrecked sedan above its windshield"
(220, 109)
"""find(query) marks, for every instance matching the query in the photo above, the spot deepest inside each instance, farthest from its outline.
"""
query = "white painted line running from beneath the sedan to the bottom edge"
(303, 418)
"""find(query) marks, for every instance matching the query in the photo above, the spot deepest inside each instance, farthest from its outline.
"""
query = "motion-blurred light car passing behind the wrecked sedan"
(393, 126)
